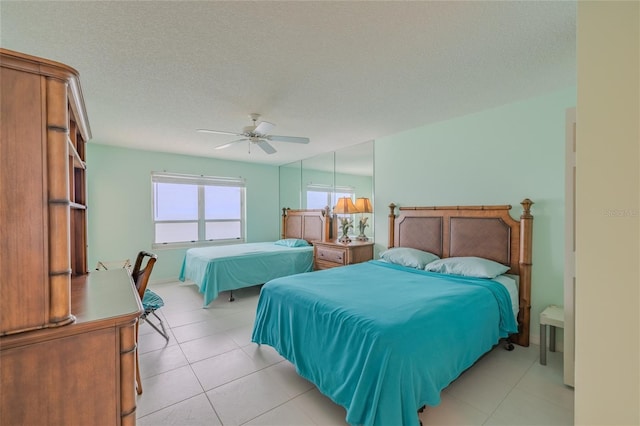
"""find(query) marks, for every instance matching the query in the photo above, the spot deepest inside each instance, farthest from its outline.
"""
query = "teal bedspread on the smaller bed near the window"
(219, 268)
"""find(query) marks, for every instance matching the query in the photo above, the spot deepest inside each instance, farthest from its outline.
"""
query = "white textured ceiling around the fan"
(340, 73)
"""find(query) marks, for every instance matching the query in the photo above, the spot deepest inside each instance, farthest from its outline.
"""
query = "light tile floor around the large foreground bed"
(209, 373)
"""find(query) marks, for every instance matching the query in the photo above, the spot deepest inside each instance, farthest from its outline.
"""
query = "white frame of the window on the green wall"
(201, 182)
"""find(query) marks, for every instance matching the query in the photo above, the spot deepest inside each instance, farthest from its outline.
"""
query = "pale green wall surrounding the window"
(119, 205)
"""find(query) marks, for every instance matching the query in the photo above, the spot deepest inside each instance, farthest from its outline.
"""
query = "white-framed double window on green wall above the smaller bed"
(194, 209)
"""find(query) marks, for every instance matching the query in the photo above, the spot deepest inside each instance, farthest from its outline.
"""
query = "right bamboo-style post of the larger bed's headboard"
(526, 234)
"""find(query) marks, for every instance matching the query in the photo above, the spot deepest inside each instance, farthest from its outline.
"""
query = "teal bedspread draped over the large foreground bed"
(379, 339)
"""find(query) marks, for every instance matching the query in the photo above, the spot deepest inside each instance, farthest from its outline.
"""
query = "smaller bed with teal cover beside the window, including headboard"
(230, 267)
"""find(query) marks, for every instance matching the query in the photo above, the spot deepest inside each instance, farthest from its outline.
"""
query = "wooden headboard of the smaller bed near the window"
(311, 225)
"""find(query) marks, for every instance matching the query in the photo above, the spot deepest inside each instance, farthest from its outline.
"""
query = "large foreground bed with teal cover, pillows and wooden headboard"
(383, 338)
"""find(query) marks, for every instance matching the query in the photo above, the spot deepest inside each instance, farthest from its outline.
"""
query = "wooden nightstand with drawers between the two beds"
(332, 253)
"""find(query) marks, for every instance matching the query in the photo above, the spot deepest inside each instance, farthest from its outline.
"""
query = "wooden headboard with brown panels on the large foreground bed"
(482, 231)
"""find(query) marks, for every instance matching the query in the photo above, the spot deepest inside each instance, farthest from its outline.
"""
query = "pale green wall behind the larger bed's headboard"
(496, 156)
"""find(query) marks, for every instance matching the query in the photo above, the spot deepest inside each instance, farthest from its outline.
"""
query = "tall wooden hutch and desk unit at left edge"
(67, 336)
